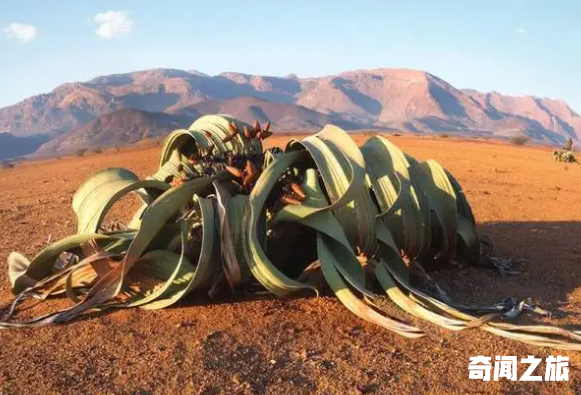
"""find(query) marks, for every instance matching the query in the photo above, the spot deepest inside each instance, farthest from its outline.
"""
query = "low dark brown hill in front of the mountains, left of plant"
(118, 128)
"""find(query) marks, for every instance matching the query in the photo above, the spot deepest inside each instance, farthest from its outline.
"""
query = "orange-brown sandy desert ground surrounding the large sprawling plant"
(527, 203)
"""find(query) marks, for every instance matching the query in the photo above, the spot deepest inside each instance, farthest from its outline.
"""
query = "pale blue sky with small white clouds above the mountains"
(511, 46)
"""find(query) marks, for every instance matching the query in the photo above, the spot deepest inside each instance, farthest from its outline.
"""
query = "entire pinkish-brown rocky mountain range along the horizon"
(97, 111)
